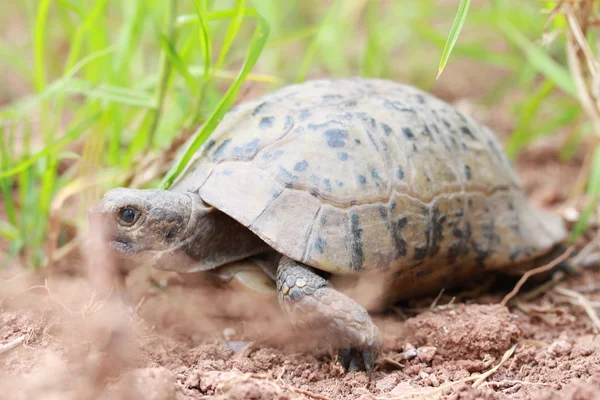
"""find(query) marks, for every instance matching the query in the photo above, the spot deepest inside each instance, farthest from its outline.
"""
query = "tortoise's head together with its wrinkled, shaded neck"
(171, 231)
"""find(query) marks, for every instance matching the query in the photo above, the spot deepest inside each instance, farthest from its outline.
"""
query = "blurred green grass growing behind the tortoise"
(100, 93)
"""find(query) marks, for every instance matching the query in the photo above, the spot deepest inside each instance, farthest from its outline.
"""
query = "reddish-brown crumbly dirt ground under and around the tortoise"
(62, 336)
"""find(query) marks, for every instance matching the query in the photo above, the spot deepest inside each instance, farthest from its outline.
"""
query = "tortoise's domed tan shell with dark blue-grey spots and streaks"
(361, 174)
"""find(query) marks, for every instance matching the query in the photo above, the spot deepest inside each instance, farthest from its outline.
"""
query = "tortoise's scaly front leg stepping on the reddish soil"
(312, 304)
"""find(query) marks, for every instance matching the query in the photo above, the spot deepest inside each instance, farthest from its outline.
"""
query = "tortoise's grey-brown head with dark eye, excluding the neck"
(144, 224)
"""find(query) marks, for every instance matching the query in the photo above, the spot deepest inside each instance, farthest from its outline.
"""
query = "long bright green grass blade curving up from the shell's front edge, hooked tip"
(257, 44)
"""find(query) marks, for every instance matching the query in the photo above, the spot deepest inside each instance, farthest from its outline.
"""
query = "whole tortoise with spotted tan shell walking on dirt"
(358, 178)
